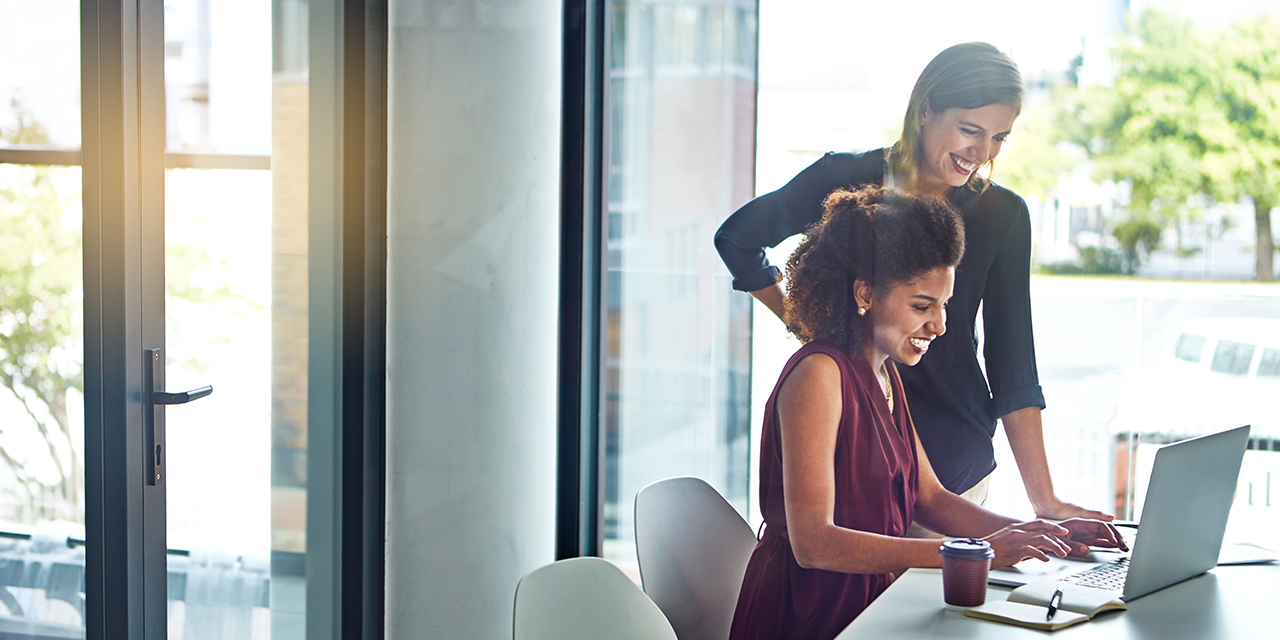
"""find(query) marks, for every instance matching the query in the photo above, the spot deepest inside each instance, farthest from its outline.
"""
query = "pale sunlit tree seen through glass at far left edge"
(40, 327)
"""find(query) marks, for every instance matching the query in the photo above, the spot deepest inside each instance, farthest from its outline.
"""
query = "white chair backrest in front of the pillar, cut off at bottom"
(586, 600)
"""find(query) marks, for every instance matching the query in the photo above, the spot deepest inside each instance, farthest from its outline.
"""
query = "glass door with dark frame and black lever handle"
(203, 241)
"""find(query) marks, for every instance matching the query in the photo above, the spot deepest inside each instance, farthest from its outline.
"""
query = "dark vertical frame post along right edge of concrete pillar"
(582, 326)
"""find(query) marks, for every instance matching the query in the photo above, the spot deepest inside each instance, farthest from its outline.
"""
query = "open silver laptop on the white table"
(1182, 528)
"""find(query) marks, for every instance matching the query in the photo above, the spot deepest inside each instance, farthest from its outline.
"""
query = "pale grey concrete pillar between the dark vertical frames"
(473, 254)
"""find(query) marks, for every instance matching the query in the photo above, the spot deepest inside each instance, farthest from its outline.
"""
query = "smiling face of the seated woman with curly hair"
(907, 318)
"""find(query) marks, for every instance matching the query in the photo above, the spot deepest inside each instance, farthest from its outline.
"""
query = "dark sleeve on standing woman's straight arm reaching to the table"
(1009, 346)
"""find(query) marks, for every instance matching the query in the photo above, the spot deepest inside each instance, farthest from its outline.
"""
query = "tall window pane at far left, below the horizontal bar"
(42, 404)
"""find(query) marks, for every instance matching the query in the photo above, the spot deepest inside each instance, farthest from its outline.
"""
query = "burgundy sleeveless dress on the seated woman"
(876, 490)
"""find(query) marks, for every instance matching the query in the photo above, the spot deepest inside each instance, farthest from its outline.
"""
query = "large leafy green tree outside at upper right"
(1190, 116)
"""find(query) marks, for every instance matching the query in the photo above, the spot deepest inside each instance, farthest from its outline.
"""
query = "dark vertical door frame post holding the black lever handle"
(122, 88)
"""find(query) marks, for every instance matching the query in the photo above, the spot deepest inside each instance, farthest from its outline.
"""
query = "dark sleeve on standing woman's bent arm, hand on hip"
(774, 218)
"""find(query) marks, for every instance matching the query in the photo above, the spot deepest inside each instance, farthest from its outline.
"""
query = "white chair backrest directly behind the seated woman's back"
(693, 550)
